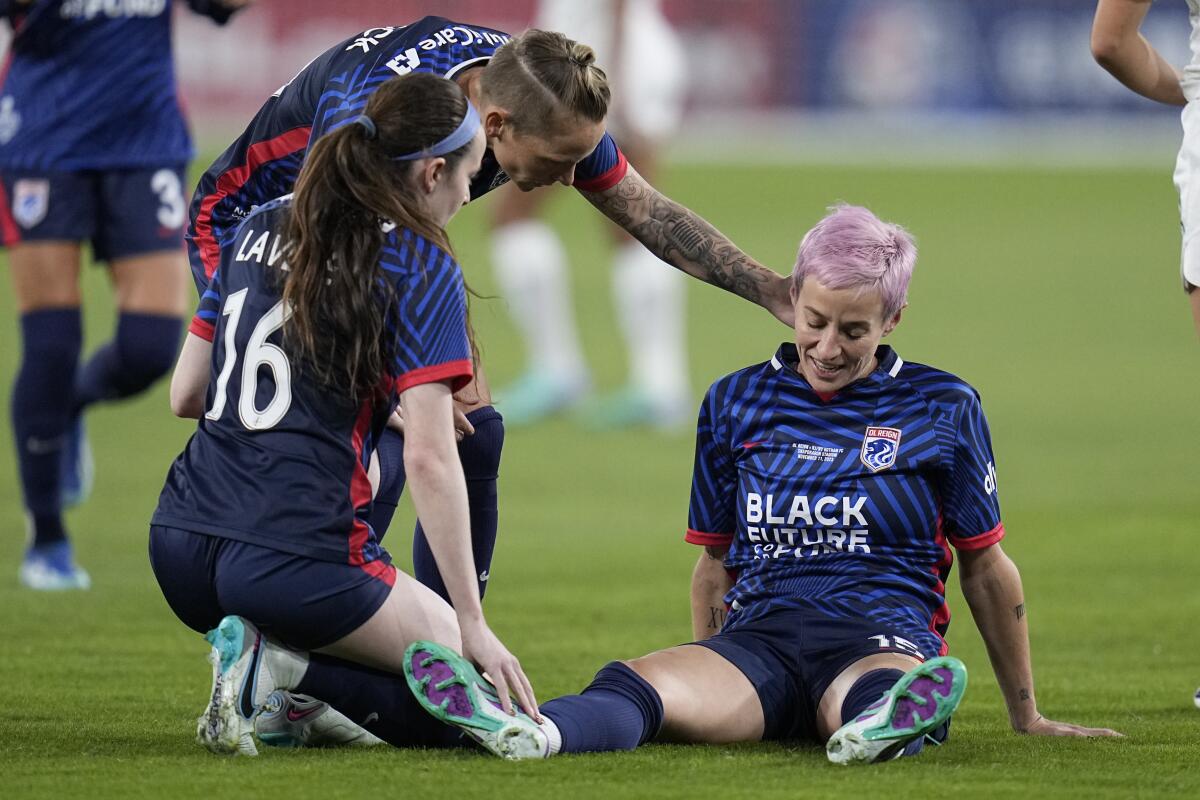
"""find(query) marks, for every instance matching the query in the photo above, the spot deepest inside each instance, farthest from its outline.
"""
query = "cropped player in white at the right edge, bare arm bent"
(1120, 49)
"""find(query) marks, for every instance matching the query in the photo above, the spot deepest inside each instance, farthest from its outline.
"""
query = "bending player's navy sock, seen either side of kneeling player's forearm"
(481, 455)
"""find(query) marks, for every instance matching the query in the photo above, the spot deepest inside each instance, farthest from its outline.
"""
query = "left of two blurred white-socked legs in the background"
(531, 269)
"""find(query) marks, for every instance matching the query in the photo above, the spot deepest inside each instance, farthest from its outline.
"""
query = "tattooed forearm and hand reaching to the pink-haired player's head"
(685, 240)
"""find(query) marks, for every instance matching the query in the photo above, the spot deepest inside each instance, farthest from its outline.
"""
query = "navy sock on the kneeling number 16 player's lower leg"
(379, 701)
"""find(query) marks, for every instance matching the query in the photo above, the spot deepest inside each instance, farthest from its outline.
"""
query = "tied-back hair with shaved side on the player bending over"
(539, 75)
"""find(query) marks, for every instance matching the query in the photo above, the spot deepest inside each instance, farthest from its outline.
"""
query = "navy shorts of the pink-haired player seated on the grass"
(791, 655)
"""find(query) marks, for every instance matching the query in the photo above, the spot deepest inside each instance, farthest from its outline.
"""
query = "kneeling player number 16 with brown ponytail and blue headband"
(328, 309)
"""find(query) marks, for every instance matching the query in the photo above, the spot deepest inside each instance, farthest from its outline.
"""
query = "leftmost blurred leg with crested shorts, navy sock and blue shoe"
(43, 221)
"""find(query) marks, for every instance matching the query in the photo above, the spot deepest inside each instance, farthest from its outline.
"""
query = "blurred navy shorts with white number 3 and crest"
(121, 212)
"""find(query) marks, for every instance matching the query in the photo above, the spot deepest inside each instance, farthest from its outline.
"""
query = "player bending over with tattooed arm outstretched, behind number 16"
(544, 101)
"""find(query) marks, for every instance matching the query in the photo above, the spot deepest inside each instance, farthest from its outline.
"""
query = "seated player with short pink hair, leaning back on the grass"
(830, 485)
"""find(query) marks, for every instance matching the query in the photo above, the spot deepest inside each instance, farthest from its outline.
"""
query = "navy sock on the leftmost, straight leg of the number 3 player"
(43, 398)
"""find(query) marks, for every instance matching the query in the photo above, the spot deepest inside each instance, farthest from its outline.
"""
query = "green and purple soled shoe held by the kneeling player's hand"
(449, 688)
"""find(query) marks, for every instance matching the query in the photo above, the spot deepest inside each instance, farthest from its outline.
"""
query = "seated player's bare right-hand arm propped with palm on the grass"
(993, 590)
